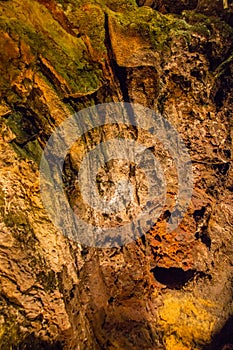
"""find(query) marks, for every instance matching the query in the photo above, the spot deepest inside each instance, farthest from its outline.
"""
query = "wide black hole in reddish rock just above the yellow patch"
(173, 277)
